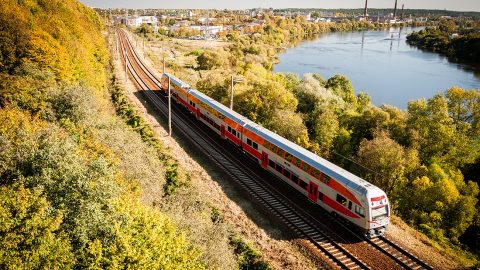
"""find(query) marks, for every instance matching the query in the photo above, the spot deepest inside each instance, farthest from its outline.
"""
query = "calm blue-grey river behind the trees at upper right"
(380, 63)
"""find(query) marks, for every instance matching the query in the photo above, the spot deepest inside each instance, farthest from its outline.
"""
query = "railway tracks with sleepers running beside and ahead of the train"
(207, 142)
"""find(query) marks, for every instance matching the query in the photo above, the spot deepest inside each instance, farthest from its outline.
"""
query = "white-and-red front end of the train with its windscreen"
(379, 213)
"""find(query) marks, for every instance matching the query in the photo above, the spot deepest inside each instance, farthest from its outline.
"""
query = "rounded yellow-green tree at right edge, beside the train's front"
(441, 203)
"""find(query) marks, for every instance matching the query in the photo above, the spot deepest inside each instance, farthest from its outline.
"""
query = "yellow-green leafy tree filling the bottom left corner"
(29, 227)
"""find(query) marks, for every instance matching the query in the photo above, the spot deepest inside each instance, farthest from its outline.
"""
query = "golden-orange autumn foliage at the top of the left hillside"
(65, 36)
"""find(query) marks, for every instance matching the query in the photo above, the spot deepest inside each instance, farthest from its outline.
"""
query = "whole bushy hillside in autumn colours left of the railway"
(72, 173)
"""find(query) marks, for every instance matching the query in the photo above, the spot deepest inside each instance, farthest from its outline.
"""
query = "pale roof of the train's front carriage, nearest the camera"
(343, 176)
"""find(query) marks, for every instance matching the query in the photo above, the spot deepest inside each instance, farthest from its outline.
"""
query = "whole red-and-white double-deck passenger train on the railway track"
(333, 188)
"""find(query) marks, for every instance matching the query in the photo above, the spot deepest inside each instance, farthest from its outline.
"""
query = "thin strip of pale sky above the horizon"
(459, 5)
